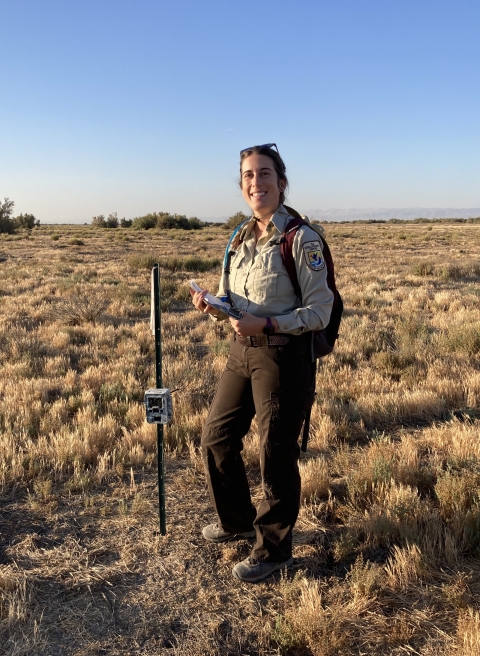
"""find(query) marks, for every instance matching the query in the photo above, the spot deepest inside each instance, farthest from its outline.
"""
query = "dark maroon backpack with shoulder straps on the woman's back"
(325, 338)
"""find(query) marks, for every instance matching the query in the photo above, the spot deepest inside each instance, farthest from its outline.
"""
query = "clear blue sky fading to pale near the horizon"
(137, 106)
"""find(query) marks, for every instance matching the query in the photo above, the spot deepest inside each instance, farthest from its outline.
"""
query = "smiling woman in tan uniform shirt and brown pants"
(270, 370)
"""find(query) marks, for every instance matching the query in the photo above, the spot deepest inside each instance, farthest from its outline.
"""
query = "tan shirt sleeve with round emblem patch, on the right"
(317, 297)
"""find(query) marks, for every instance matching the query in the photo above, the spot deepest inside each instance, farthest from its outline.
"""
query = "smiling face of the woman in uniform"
(261, 187)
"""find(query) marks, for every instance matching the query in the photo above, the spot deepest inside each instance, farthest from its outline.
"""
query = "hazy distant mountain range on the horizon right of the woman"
(385, 213)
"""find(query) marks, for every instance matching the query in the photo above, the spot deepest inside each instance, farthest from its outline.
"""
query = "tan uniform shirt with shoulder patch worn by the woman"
(259, 282)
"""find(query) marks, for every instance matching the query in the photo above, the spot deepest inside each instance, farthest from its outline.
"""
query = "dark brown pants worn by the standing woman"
(276, 384)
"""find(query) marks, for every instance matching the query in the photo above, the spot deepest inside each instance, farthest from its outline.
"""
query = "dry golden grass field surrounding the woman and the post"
(387, 545)
